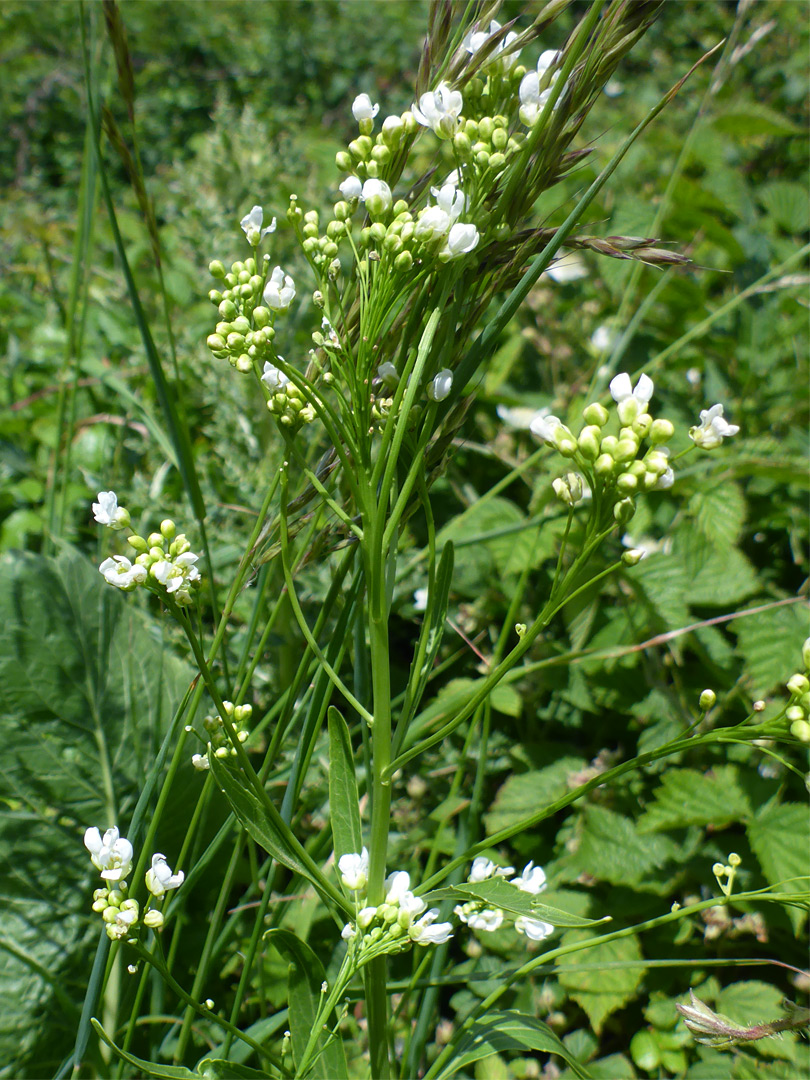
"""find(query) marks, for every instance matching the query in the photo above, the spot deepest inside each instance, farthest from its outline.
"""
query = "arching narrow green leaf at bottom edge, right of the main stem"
(508, 1032)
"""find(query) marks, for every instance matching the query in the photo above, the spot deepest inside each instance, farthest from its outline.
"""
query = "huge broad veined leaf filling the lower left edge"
(87, 694)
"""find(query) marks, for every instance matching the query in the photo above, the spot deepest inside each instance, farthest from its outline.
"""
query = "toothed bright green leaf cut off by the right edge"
(780, 839)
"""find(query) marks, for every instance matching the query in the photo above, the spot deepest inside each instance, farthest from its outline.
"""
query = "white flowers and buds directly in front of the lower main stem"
(394, 926)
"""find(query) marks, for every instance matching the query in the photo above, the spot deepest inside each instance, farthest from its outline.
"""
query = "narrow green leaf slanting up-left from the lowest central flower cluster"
(266, 827)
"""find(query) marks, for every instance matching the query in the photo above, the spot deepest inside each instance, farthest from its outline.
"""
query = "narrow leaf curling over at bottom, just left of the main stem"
(306, 978)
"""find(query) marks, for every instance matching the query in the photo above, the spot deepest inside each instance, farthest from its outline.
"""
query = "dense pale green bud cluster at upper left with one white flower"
(246, 332)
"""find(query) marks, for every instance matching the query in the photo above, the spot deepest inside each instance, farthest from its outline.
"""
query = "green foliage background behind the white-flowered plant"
(245, 103)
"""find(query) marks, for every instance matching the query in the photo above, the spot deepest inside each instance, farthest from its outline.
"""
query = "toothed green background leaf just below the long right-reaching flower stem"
(688, 798)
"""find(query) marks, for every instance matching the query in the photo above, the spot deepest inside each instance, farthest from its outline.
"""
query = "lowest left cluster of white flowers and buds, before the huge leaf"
(113, 856)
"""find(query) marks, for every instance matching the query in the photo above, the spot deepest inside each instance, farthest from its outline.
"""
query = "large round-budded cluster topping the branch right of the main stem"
(613, 462)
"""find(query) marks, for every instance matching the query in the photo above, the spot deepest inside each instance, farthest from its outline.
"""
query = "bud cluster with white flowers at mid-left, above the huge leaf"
(165, 561)
